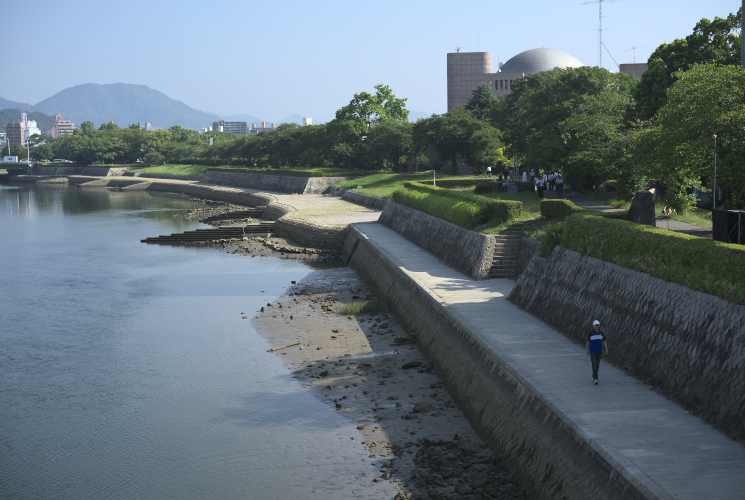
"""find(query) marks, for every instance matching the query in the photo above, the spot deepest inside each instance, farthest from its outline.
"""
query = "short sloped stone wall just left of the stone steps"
(467, 251)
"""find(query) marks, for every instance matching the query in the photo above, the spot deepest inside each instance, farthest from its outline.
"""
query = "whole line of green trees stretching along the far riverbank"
(587, 122)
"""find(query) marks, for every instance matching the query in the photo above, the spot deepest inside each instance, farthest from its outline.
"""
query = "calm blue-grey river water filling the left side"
(128, 372)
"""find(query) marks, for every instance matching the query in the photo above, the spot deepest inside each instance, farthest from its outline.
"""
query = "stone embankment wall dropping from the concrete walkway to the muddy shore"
(551, 456)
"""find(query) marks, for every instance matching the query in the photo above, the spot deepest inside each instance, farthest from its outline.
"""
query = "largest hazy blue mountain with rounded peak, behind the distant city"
(123, 104)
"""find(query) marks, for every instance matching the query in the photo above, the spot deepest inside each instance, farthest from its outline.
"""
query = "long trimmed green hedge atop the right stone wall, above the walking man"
(701, 264)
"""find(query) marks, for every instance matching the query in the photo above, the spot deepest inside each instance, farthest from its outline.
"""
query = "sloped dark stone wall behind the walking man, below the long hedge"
(688, 345)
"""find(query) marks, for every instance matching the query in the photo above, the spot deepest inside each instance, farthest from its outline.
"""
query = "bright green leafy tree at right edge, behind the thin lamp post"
(704, 101)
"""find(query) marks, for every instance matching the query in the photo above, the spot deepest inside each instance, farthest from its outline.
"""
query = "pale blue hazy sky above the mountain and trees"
(272, 59)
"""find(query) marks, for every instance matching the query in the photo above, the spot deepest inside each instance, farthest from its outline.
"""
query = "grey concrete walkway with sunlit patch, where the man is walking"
(669, 453)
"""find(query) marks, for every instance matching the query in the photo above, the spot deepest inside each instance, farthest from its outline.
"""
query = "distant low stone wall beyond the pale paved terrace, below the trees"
(277, 183)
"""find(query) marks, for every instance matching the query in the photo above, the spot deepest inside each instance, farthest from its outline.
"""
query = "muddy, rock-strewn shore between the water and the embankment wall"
(369, 369)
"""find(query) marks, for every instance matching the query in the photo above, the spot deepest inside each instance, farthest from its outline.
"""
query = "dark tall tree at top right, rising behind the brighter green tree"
(717, 41)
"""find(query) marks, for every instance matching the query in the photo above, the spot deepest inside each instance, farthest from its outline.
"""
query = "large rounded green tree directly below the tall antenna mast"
(539, 122)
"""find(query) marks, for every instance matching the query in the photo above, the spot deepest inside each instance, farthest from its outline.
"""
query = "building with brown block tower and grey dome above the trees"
(468, 70)
